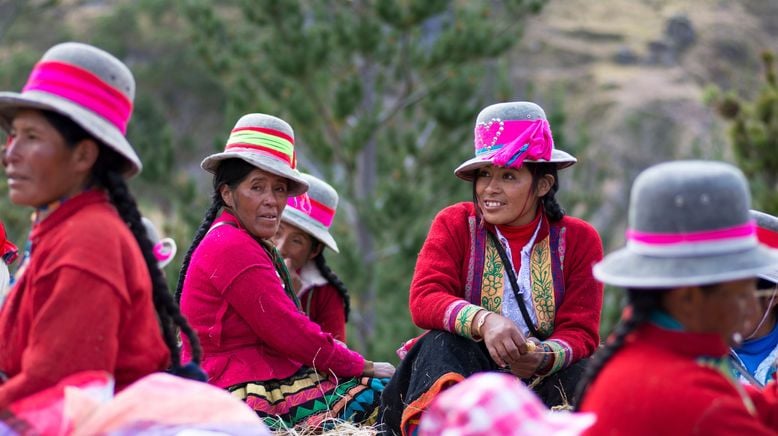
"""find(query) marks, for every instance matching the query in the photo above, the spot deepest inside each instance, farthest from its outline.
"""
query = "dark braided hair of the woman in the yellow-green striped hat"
(230, 172)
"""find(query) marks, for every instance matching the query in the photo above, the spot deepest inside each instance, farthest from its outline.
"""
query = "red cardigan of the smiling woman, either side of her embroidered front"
(442, 268)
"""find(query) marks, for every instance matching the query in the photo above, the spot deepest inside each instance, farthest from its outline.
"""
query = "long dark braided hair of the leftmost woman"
(105, 173)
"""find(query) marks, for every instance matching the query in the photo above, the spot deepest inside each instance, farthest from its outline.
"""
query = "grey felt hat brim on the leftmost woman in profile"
(104, 131)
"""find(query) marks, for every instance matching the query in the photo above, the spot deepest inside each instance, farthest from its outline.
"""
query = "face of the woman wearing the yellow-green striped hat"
(257, 202)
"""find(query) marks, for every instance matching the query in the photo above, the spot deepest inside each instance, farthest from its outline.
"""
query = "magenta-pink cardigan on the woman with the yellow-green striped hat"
(250, 330)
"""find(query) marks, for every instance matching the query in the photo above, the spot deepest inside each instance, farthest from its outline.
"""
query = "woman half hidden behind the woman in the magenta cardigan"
(301, 239)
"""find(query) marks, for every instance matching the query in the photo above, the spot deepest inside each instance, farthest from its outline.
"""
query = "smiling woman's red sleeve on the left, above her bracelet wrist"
(437, 286)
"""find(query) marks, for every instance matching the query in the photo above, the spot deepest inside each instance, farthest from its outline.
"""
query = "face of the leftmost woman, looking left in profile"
(41, 168)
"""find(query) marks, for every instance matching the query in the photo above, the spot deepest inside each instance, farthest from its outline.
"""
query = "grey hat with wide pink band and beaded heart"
(509, 134)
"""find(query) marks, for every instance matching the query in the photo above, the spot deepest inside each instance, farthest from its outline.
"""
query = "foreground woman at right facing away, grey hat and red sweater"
(690, 267)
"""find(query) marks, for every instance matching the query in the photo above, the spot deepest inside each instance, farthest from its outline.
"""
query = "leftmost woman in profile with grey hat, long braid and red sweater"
(88, 294)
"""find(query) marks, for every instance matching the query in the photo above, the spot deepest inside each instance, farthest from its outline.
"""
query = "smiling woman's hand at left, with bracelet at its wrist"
(505, 342)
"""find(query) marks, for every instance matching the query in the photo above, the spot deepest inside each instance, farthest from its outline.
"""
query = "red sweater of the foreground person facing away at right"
(656, 385)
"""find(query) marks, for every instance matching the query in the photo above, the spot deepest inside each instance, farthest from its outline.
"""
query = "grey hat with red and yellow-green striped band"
(267, 142)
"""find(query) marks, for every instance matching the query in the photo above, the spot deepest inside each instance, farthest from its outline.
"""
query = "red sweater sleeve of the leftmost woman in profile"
(69, 333)
